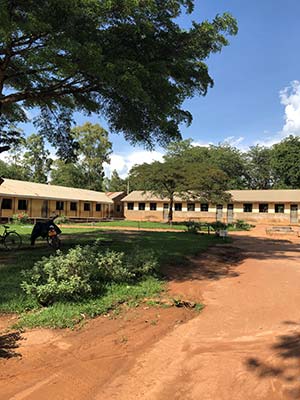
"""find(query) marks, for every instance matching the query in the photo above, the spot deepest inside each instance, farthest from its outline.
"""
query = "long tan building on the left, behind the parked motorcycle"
(43, 201)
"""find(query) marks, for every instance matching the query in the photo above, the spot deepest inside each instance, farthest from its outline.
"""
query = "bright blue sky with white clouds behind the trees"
(256, 93)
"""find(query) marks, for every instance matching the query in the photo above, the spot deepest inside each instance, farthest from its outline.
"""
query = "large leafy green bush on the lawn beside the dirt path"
(84, 271)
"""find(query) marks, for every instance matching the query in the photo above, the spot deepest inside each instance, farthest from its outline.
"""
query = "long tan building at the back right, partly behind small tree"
(254, 206)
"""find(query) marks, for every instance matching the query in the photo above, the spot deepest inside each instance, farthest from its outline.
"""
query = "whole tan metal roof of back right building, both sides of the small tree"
(242, 196)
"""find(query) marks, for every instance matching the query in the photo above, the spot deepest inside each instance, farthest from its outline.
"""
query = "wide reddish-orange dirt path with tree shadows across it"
(244, 345)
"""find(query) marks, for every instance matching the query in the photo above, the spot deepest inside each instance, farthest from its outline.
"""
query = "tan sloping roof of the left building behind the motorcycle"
(24, 189)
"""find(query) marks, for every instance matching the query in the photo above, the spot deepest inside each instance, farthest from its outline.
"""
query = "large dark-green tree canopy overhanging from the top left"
(129, 61)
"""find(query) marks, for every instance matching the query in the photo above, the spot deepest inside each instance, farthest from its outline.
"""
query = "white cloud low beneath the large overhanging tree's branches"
(123, 163)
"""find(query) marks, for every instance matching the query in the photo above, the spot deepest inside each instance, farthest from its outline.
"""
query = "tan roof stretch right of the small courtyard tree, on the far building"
(267, 196)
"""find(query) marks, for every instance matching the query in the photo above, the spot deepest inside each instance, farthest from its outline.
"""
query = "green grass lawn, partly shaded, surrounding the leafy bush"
(170, 247)
